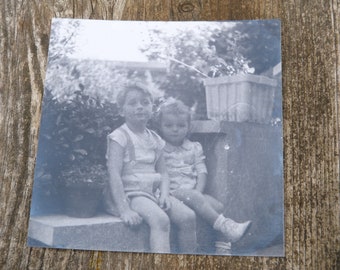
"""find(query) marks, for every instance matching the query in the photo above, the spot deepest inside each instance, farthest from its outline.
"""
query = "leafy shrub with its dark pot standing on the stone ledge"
(84, 125)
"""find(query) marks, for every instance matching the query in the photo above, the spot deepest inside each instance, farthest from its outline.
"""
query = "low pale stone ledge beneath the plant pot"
(102, 232)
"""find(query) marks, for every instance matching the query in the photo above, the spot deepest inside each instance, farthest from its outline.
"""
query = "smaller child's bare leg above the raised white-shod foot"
(196, 201)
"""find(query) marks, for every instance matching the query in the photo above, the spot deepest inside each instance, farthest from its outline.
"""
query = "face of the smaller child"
(174, 128)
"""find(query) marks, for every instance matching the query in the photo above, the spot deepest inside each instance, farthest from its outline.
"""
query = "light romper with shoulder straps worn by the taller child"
(139, 176)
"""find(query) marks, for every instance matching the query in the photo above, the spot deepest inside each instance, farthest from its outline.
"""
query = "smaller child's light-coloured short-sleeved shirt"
(184, 163)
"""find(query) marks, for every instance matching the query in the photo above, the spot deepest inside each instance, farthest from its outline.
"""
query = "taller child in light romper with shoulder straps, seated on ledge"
(137, 169)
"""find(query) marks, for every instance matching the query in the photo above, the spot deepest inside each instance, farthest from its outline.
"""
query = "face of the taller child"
(137, 107)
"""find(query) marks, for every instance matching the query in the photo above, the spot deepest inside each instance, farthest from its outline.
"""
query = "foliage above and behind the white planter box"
(213, 49)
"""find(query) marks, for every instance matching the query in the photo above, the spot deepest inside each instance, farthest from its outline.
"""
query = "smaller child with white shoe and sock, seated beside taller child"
(188, 174)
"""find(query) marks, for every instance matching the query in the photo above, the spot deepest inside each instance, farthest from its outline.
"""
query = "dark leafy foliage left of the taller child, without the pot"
(72, 146)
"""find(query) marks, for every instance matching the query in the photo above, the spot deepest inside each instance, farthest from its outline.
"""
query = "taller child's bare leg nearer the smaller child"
(185, 220)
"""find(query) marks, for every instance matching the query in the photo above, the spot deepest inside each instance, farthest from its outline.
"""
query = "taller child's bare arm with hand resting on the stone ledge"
(115, 164)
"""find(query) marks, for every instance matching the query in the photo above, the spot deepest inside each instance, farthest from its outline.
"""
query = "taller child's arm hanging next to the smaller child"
(164, 200)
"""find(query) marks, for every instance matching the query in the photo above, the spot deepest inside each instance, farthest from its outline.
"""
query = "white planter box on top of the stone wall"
(240, 98)
